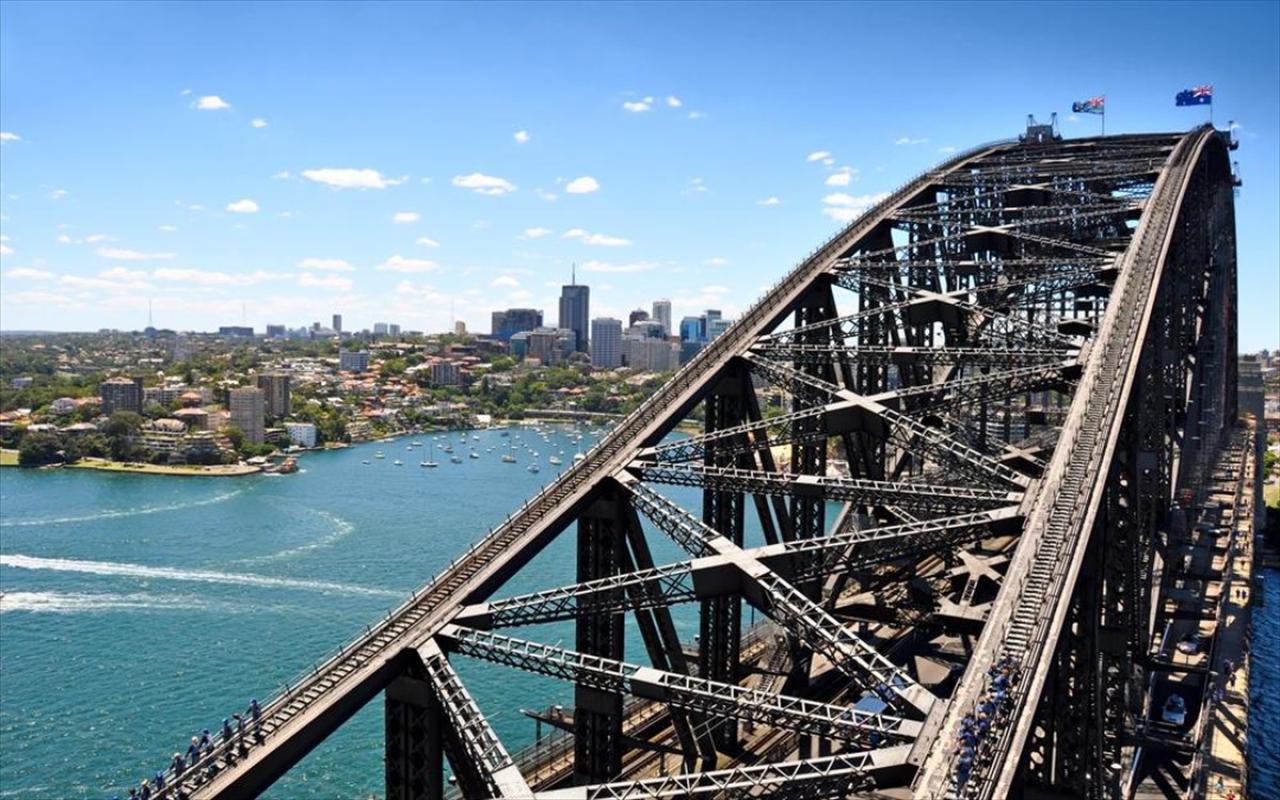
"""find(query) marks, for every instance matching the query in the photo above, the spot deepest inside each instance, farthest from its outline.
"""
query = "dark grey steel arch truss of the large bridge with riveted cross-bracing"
(999, 377)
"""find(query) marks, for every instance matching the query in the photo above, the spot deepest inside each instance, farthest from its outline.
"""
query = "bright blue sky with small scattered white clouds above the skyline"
(666, 148)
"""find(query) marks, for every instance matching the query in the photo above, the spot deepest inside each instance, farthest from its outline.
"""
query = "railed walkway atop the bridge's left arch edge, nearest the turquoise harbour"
(703, 362)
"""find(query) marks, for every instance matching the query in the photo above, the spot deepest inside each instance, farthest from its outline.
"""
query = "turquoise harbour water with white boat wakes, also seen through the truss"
(140, 610)
